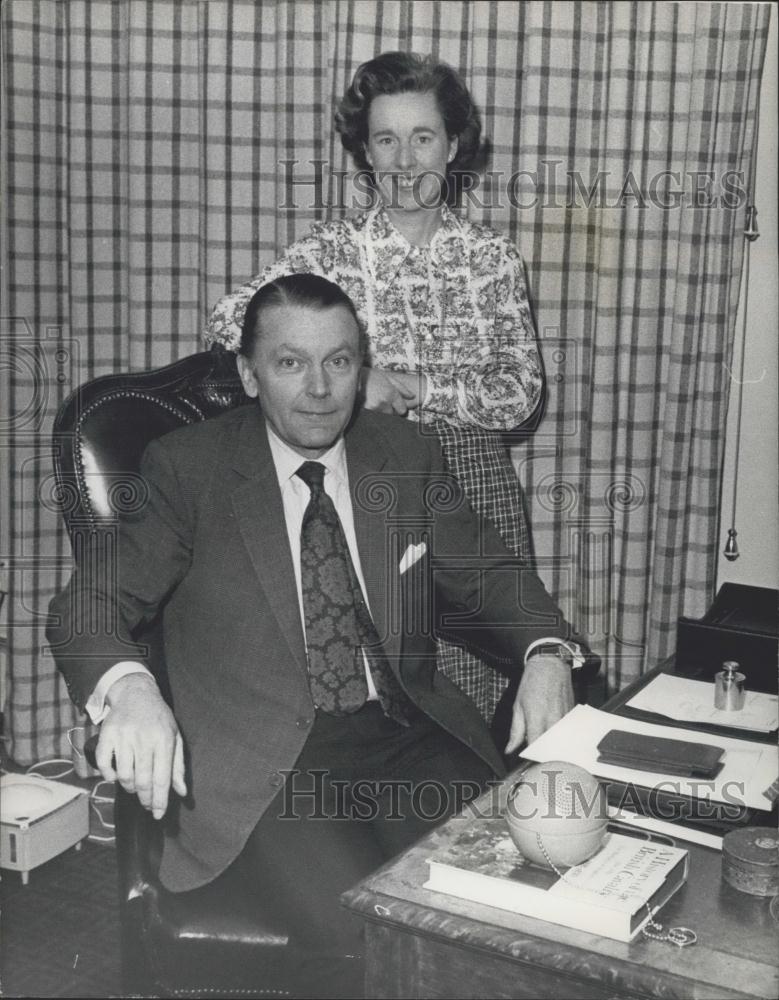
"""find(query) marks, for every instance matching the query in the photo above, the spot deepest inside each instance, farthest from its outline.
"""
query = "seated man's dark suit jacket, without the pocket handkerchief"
(210, 550)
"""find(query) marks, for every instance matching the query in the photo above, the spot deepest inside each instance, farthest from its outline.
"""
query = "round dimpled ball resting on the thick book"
(556, 814)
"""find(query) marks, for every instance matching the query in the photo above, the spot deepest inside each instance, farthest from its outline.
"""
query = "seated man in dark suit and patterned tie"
(296, 550)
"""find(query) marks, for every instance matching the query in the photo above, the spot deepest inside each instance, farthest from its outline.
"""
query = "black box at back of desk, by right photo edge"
(742, 624)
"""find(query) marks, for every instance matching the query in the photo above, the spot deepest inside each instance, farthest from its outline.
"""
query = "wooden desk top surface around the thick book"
(737, 934)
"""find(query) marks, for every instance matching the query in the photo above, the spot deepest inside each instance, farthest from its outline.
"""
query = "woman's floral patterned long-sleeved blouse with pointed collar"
(455, 310)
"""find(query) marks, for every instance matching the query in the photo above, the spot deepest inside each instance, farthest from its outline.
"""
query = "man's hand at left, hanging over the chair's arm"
(140, 745)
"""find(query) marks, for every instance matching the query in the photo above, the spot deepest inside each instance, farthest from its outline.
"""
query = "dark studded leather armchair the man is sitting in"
(214, 941)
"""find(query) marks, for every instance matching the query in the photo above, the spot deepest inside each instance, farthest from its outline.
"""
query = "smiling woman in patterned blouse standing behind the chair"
(443, 300)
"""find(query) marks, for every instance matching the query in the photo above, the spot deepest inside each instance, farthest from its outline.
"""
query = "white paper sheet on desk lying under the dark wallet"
(749, 778)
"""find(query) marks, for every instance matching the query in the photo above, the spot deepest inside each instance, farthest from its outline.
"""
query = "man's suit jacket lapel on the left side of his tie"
(260, 516)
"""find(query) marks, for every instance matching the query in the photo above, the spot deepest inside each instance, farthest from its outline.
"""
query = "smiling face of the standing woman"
(408, 150)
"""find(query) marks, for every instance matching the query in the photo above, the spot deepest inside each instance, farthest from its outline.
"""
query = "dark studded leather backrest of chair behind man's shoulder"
(103, 428)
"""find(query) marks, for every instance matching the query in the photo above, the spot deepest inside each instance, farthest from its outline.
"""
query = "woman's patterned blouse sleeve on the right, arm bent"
(496, 381)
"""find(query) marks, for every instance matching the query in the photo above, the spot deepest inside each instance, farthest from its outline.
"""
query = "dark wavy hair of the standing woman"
(403, 73)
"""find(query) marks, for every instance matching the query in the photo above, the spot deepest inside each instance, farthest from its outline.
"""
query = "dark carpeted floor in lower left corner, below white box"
(60, 933)
